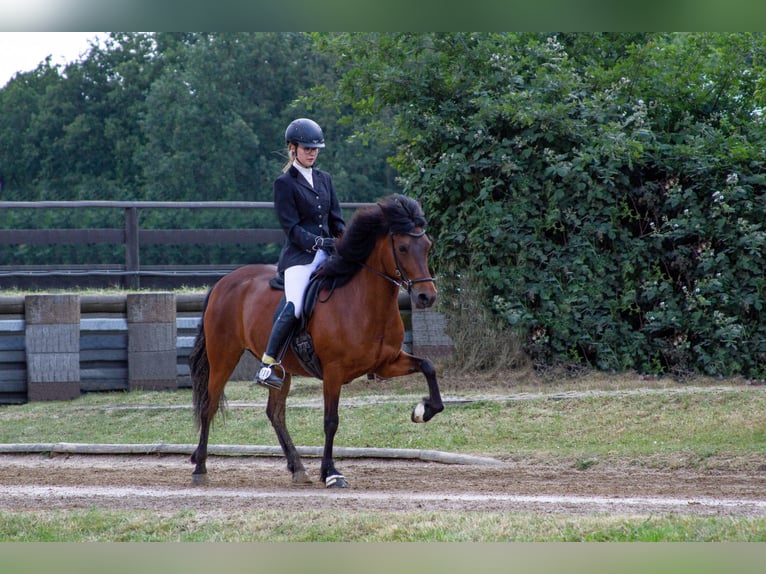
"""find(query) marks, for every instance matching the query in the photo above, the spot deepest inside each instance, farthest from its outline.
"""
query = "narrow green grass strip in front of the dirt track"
(92, 525)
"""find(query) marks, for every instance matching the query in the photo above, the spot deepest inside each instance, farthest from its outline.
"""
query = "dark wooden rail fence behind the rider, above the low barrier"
(128, 273)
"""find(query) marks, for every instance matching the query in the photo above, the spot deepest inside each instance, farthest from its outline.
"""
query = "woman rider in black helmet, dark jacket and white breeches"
(309, 213)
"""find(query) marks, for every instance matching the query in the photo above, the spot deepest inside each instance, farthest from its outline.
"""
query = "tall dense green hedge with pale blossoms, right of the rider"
(607, 191)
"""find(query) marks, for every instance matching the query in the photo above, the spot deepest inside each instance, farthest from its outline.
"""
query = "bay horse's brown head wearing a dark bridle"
(409, 254)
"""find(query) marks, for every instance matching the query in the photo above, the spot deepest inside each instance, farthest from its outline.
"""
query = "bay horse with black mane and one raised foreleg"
(355, 326)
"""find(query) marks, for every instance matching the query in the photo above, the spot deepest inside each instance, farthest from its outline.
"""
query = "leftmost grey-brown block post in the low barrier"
(52, 346)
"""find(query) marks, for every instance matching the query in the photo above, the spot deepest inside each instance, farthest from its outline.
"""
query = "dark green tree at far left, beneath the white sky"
(78, 125)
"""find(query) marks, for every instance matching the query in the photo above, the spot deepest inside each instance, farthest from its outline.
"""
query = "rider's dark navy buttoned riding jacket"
(305, 214)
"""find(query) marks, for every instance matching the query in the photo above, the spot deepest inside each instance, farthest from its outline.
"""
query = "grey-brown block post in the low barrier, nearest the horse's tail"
(152, 331)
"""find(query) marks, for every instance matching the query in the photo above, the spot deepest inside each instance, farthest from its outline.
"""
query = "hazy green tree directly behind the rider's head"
(216, 118)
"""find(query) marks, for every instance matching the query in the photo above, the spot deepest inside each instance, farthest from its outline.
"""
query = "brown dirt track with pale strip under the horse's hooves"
(246, 483)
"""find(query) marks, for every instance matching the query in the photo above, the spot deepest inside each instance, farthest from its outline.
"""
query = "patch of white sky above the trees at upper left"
(23, 51)
